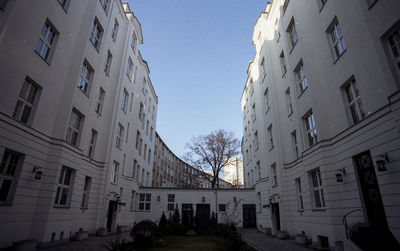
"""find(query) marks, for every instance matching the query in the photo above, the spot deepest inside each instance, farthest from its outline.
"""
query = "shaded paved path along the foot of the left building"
(94, 243)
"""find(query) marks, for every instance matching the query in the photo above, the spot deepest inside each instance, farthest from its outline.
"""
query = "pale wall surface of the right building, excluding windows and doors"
(367, 58)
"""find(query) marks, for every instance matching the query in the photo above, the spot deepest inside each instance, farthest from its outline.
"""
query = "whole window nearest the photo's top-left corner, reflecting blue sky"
(47, 41)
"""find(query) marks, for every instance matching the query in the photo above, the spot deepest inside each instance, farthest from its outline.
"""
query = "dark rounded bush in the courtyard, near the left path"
(145, 234)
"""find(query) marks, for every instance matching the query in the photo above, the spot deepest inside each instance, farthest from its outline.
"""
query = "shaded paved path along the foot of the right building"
(268, 243)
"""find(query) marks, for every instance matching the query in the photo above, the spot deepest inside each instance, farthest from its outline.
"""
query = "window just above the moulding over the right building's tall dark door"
(353, 100)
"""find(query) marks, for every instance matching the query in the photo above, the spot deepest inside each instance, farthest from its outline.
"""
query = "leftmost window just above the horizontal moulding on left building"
(26, 100)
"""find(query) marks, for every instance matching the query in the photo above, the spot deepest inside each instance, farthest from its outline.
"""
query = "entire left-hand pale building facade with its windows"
(78, 115)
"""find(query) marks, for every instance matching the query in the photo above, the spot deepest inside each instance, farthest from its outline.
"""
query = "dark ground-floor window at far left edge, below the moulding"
(10, 167)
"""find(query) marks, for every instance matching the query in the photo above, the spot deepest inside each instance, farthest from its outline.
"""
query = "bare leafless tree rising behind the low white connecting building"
(212, 152)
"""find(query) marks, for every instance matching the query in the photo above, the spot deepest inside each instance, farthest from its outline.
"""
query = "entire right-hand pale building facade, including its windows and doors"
(321, 118)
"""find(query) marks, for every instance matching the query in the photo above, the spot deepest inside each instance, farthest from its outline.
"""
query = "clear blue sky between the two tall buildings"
(198, 52)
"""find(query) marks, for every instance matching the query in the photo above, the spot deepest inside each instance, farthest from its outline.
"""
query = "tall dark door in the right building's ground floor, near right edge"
(369, 187)
